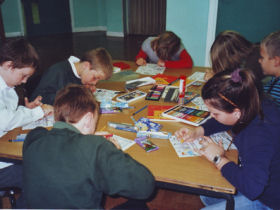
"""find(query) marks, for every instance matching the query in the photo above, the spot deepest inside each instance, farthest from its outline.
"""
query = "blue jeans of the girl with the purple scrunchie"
(240, 202)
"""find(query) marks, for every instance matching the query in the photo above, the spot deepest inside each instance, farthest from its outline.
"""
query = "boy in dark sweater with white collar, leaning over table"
(95, 65)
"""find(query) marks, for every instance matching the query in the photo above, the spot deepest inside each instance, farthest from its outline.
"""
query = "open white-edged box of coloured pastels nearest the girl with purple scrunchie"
(187, 115)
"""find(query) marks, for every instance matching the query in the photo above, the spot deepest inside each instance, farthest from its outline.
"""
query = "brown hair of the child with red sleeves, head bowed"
(166, 45)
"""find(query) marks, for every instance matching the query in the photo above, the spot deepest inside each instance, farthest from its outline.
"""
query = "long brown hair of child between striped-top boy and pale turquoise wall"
(229, 50)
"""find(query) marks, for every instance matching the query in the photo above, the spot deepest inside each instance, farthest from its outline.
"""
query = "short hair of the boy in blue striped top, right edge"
(272, 44)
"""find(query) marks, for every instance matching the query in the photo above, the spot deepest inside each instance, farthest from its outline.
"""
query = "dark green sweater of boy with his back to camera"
(66, 169)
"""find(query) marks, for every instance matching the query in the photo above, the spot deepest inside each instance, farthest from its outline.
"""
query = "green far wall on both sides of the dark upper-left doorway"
(88, 15)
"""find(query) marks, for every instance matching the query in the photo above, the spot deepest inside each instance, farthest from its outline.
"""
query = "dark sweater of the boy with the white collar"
(55, 78)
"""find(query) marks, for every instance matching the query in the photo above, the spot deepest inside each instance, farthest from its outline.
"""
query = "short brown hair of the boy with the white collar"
(100, 59)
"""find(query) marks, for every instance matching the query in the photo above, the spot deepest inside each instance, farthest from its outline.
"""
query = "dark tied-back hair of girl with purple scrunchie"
(224, 93)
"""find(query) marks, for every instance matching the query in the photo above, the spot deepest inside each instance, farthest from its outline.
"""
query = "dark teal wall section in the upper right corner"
(254, 19)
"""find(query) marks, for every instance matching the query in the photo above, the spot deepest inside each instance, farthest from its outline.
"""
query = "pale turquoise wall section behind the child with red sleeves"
(189, 20)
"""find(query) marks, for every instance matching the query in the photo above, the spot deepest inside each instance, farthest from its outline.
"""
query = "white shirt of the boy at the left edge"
(12, 115)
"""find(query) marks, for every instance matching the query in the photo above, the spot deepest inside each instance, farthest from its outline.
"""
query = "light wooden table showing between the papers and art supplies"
(192, 174)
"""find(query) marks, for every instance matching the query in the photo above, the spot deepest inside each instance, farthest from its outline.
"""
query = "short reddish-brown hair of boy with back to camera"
(73, 102)
